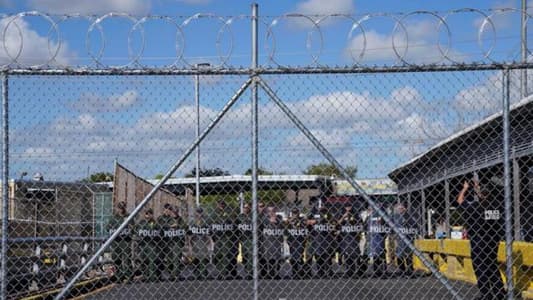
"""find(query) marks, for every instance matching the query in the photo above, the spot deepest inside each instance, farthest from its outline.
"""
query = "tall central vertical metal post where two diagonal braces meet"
(255, 132)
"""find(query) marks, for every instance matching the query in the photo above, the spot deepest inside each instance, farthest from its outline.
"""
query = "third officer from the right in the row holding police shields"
(351, 228)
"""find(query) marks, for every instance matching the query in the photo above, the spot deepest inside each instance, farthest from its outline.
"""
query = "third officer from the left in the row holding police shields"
(174, 231)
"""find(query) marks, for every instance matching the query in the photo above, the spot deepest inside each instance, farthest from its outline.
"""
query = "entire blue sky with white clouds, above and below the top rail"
(69, 126)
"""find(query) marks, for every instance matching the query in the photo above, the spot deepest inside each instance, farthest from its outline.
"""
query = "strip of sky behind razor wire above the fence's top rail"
(198, 39)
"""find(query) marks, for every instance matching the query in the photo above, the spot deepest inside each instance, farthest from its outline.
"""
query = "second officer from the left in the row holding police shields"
(149, 234)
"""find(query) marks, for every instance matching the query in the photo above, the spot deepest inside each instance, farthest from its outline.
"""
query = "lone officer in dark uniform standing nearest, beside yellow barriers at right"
(483, 218)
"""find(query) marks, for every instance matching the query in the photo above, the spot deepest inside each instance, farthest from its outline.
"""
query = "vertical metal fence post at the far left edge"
(5, 185)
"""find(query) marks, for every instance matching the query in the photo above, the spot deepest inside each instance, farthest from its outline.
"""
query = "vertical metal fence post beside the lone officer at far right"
(507, 185)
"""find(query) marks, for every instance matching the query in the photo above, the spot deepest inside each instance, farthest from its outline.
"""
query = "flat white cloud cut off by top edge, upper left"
(91, 7)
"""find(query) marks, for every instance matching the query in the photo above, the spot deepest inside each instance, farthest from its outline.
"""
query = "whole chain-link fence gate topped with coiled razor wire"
(207, 182)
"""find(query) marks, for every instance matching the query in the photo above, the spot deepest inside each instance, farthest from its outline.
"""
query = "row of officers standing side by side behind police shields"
(211, 244)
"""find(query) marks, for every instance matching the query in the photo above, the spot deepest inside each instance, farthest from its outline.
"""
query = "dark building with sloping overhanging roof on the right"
(430, 181)
